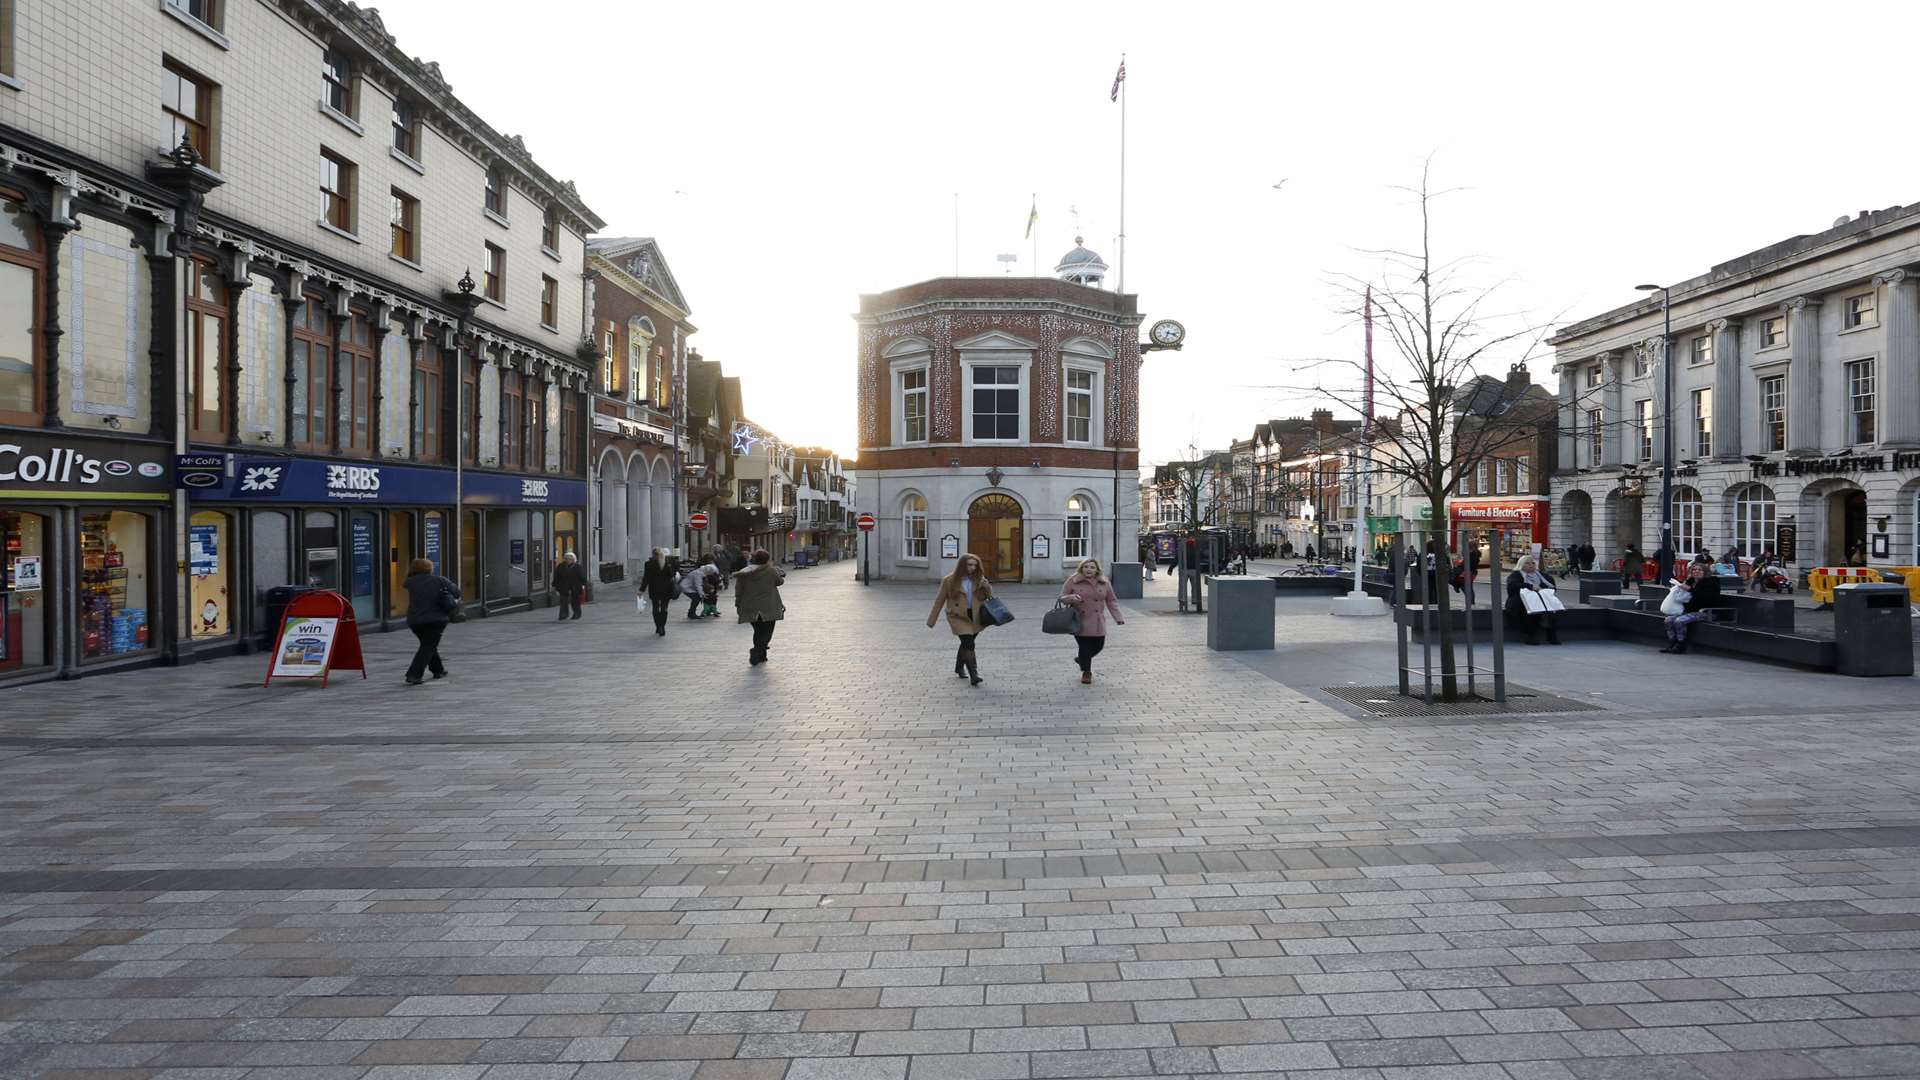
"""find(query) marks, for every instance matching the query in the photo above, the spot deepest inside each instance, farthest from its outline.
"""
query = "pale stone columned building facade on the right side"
(1806, 358)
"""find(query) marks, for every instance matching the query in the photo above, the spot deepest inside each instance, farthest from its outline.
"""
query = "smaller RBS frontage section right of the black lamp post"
(514, 531)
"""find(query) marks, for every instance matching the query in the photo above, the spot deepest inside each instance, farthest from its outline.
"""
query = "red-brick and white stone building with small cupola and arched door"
(1001, 416)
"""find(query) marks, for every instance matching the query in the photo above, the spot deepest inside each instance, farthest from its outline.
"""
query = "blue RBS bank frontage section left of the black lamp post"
(299, 522)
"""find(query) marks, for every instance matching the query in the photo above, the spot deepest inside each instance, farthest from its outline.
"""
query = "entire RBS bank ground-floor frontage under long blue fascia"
(262, 522)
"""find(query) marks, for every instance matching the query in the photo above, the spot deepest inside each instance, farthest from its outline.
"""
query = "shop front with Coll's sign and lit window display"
(84, 524)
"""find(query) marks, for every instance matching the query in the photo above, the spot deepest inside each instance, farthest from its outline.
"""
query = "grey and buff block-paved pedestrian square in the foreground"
(598, 854)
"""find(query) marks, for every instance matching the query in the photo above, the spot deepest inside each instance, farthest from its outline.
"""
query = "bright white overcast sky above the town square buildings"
(794, 157)
